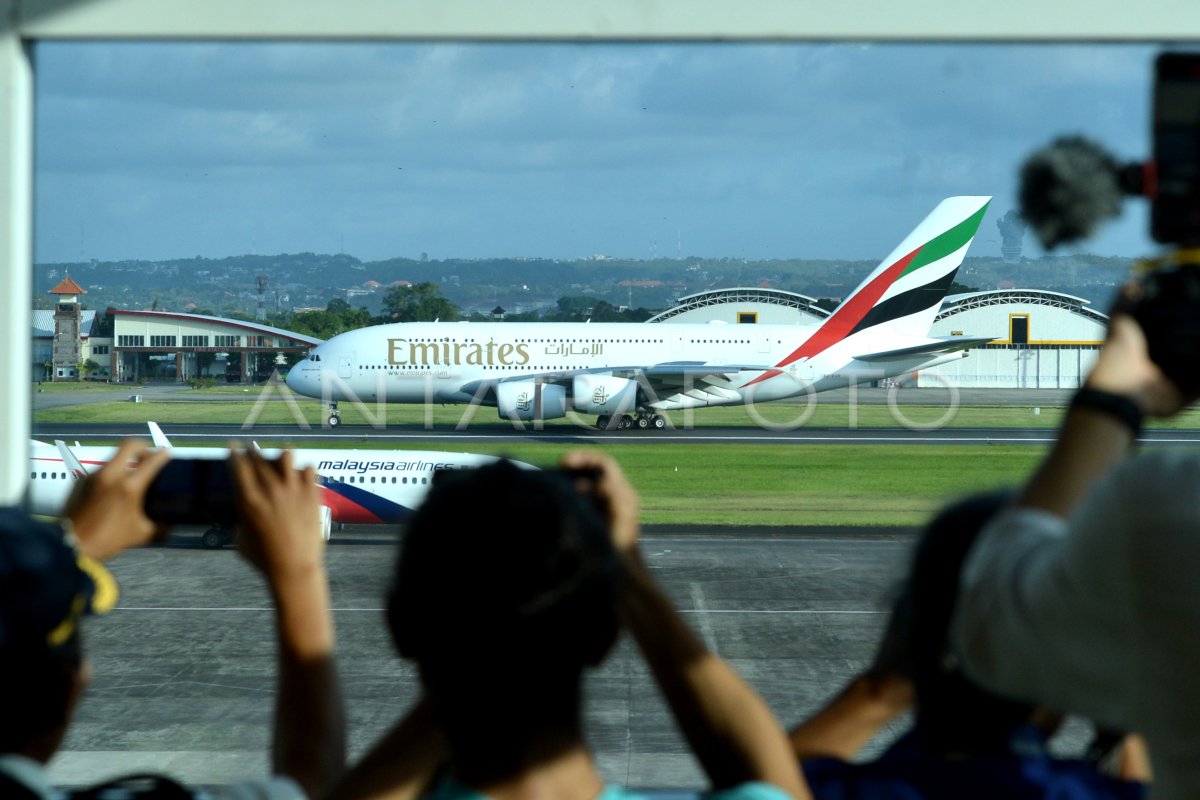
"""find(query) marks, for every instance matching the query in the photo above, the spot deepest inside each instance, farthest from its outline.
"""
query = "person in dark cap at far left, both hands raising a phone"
(51, 578)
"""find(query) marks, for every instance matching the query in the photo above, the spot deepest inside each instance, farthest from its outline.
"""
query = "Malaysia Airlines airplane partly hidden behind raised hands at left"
(357, 486)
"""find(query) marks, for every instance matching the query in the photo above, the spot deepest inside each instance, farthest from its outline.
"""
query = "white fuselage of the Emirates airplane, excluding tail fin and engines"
(455, 363)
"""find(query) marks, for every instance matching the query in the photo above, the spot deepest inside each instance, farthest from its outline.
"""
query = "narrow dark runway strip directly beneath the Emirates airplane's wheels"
(405, 436)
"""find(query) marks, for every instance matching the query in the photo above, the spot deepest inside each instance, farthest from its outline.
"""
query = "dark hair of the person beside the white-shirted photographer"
(955, 715)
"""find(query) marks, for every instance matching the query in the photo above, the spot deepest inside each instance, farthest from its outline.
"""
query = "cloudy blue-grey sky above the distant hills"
(167, 151)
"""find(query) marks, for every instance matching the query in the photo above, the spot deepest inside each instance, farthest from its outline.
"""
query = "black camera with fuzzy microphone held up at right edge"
(1072, 187)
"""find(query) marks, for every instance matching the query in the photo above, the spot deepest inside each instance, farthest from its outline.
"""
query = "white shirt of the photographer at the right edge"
(1100, 615)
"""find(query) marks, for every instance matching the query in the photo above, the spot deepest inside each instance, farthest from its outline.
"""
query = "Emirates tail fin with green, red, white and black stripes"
(904, 293)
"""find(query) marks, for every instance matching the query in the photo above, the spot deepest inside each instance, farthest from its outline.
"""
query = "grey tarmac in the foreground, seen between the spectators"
(184, 667)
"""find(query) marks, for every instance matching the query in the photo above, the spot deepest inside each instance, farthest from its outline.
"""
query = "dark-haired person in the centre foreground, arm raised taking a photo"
(511, 585)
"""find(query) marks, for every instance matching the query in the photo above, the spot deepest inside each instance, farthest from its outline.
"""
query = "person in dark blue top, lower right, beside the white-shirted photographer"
(965, 742)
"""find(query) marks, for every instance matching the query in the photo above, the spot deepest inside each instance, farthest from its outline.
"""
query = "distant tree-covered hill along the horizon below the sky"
(227, 286)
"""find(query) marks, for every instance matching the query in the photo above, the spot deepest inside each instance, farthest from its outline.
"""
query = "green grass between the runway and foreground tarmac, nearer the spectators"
(803, 485)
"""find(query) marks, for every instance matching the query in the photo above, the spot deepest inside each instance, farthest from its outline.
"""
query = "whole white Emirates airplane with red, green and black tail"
(626, 374)
